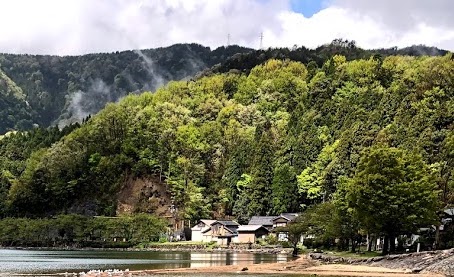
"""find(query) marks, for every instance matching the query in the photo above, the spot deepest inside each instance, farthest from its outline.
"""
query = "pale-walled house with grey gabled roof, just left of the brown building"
(223, 231)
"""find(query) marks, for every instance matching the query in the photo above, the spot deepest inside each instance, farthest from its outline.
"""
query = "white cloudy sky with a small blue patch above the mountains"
(69, 27)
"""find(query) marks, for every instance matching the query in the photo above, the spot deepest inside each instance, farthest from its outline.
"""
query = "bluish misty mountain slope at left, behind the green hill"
(47, 90)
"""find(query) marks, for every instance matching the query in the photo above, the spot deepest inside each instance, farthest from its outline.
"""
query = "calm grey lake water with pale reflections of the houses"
(48, 262)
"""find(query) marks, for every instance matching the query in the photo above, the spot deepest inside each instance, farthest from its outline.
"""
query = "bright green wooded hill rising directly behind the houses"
(279, 138)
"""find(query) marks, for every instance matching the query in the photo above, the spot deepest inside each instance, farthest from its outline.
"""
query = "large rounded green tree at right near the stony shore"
(392, 192)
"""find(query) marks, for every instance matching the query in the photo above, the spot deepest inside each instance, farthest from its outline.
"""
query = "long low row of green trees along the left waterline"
(82, 231)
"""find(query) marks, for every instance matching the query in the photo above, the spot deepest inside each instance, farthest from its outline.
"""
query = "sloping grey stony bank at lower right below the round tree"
(439, 262)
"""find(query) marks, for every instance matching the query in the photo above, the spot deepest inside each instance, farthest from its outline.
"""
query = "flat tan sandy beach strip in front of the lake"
(300, 266)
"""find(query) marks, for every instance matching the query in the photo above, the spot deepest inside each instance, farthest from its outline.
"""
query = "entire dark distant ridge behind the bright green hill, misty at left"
(50, 90)
